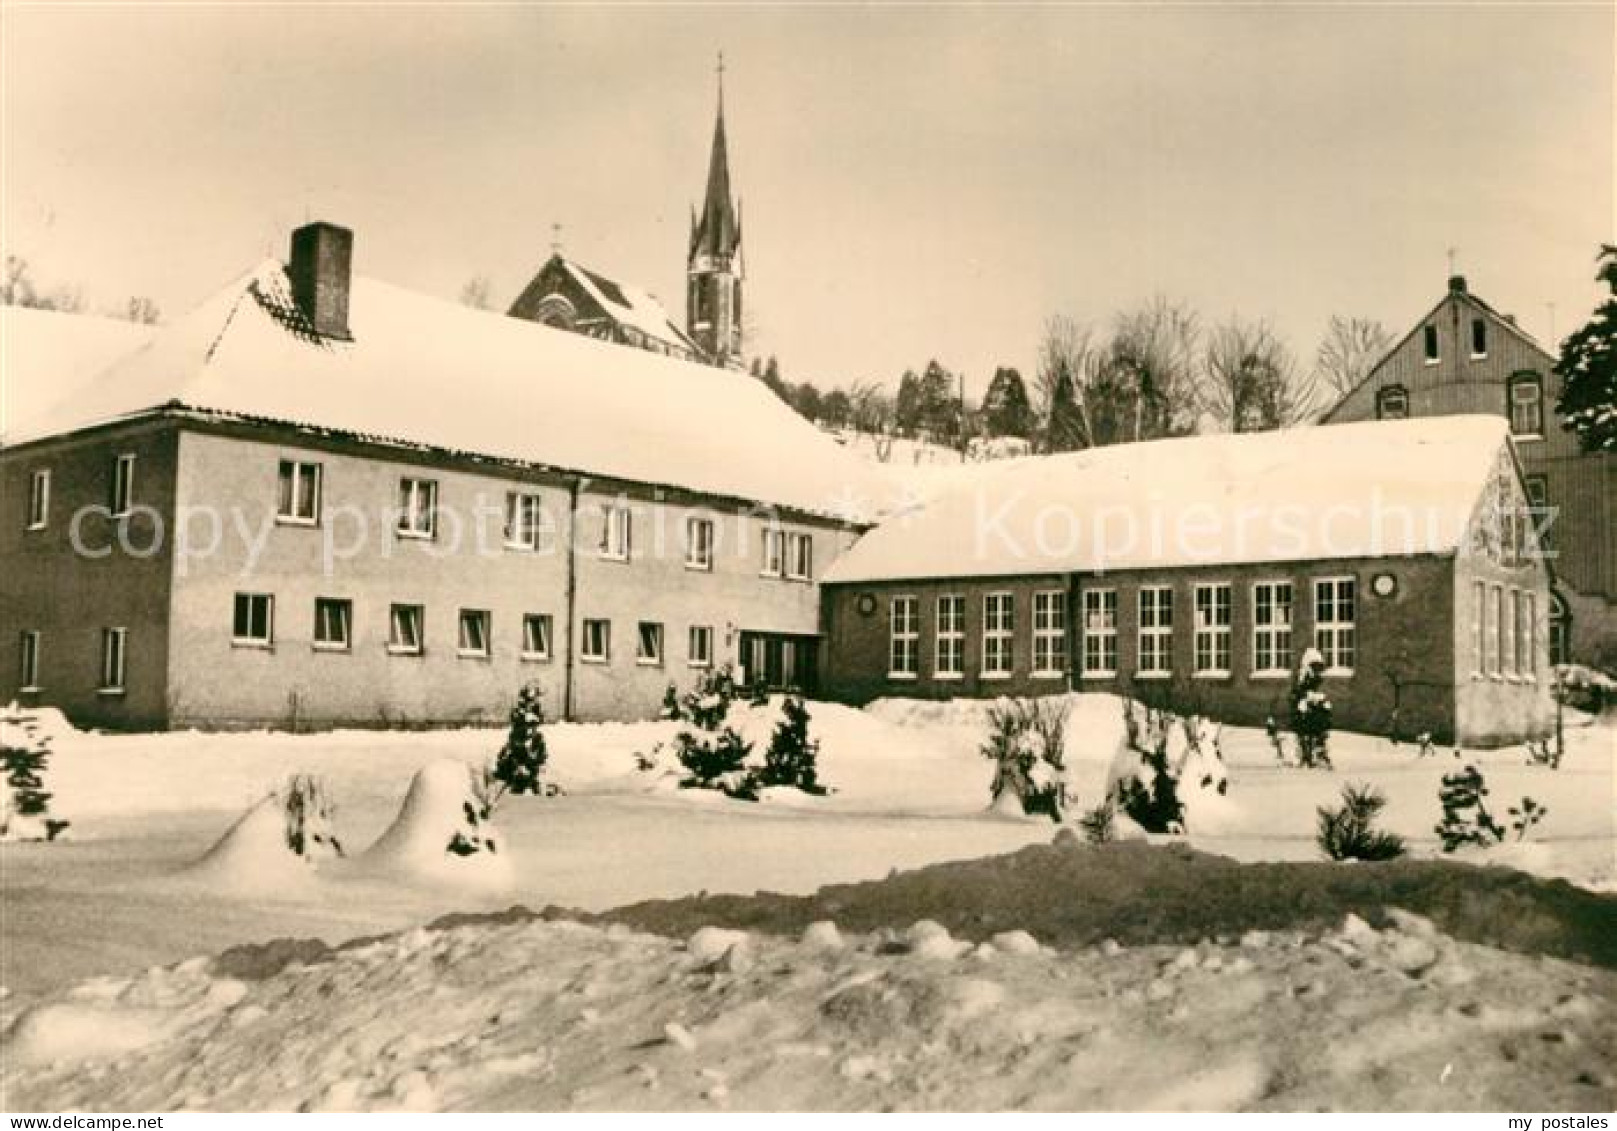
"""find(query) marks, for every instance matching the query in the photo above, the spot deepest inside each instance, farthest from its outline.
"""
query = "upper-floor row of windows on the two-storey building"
(528, 525)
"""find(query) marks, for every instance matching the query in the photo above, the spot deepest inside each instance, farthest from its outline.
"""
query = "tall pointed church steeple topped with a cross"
(714, 268)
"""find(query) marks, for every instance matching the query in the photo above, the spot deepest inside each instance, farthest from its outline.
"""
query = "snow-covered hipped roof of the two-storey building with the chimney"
(431, 373)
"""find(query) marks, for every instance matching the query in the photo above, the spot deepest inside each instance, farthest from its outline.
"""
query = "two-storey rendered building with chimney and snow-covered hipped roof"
(319, 499)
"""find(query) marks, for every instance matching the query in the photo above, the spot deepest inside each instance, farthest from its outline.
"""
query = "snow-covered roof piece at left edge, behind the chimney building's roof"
(48, 357)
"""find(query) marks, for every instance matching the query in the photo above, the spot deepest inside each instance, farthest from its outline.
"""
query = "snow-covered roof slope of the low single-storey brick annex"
(1351, 491)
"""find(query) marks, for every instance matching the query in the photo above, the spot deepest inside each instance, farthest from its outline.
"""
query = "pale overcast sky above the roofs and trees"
(916, 182)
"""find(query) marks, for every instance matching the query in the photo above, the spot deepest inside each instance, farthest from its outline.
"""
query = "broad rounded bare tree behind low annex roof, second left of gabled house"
(1251, 381)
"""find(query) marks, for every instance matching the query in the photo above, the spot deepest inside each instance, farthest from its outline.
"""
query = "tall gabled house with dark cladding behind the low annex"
(1464, 357)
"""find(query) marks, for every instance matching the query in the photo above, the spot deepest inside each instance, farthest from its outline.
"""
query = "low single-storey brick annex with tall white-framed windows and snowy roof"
(1201, 572)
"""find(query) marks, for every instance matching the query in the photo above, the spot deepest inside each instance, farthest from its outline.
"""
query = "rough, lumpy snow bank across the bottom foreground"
(564, 1017)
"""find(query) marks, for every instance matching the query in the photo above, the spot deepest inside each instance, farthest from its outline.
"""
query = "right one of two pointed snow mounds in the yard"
(439, 808)
